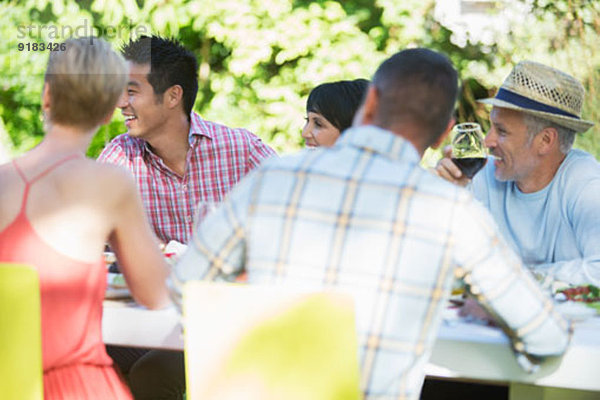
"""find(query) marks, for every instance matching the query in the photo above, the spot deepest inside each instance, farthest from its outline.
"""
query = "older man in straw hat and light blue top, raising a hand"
(543, 195)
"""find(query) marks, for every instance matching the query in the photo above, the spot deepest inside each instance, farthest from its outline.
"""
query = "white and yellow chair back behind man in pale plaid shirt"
(256, 342)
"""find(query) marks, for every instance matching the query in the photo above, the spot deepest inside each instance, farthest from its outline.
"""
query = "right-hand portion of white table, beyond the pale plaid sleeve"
(471, 352)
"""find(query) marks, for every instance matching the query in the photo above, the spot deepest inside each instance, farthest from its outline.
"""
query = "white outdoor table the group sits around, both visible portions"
(463, 352)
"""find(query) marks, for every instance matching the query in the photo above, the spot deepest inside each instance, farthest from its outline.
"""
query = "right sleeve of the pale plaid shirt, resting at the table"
(496, 277)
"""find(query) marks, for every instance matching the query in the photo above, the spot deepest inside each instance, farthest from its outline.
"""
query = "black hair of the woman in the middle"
(337, 101)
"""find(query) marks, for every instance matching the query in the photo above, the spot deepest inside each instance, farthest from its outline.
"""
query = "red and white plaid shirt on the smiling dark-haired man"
(218, 158)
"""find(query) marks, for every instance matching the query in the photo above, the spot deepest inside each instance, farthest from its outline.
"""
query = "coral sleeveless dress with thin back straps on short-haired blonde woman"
(75, 362)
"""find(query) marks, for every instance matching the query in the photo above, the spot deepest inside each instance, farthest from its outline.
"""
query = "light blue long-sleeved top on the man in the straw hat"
(555, 230)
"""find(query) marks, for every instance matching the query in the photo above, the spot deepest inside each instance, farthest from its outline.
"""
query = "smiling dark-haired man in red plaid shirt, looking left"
(182, 164)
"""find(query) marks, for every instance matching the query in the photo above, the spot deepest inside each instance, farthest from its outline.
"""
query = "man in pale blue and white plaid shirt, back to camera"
(363, 217)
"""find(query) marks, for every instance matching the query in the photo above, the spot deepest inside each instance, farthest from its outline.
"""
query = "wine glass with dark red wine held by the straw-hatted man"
(468, 150)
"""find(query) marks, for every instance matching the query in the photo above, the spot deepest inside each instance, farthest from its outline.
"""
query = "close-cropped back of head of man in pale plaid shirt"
(418, 86)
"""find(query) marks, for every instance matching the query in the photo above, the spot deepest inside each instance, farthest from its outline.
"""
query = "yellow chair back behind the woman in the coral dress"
(20, 333)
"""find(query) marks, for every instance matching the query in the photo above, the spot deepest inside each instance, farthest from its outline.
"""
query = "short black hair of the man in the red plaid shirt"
(170, 64)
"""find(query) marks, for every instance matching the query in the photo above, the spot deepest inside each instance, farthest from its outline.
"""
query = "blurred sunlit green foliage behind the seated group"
(260, 58)
